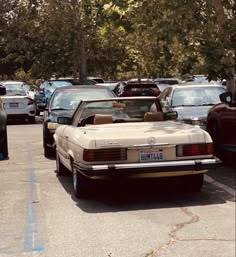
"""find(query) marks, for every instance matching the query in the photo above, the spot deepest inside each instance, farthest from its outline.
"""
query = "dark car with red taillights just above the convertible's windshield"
(133, 88)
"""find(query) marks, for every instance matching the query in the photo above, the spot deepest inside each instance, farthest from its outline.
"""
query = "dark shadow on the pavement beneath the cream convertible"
(120, 196)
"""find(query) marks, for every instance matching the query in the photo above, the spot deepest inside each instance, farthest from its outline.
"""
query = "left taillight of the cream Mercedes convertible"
(110, 154)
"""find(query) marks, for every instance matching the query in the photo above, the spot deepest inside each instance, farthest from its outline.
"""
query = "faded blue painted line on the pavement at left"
(32, 240)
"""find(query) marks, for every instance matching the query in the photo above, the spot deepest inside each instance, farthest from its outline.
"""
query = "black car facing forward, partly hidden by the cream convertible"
(64, 101)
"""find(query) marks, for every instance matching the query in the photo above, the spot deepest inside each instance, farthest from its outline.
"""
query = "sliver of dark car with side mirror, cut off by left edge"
(3, 127)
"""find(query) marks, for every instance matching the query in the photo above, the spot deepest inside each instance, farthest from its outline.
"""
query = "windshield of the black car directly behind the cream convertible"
(69, 99)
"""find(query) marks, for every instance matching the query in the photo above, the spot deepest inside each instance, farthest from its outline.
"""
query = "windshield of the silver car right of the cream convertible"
(196, 96)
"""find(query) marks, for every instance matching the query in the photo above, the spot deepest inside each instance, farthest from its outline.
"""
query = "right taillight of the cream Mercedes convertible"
(194, 149)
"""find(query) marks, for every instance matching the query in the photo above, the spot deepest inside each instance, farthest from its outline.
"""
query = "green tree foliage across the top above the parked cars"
(115, 38)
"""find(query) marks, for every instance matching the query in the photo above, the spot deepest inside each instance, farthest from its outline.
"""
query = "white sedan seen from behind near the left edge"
(18, 104)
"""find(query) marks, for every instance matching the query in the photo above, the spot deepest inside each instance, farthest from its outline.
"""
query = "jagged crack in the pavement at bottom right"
(174, 229)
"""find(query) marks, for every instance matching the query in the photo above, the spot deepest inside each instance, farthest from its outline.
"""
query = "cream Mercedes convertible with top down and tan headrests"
(120, 137)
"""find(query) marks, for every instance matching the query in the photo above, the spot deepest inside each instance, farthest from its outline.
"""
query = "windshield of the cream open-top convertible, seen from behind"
(127, 110)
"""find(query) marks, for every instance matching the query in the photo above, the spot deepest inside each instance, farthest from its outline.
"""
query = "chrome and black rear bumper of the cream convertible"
(153, 169)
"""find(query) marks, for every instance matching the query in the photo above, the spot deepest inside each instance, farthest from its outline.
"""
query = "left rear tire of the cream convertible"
(80, 184)
